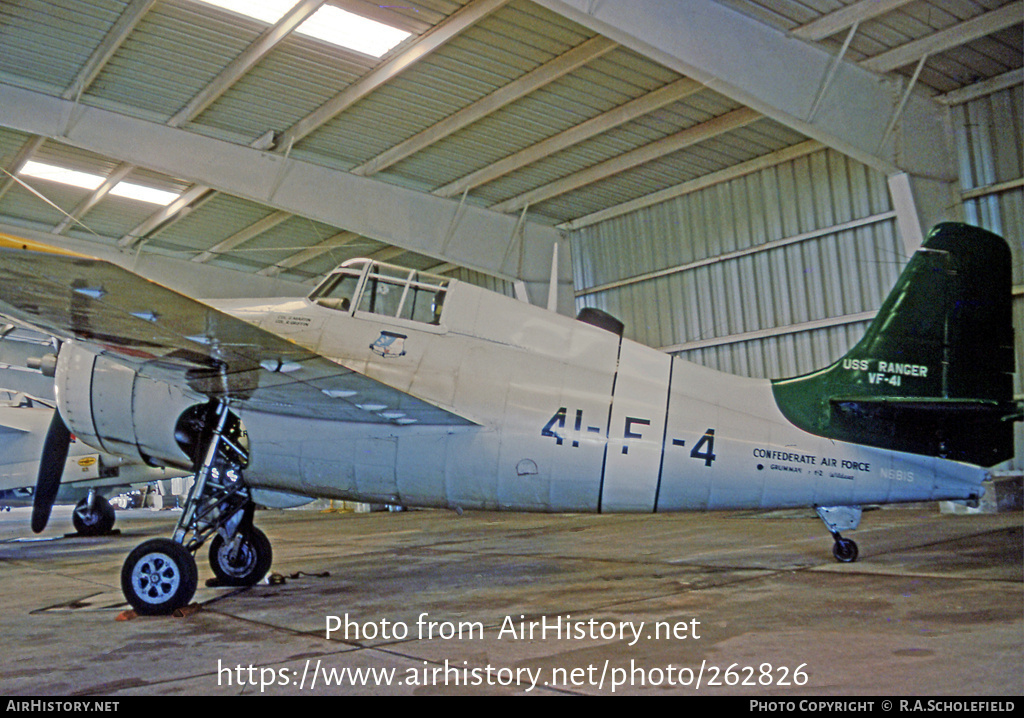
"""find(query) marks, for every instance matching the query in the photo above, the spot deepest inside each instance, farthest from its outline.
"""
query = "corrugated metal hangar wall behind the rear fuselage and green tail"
(778, 273)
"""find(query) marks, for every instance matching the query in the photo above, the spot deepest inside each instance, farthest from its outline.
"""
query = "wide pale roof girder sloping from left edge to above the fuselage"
(417, 222)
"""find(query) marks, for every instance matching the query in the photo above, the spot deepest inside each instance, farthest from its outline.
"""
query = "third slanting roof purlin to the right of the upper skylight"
(591, 129)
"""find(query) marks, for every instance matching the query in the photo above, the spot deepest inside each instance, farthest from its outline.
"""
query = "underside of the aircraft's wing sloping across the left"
(169, 336)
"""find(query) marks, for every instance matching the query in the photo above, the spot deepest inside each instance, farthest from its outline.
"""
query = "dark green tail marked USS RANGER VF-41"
(933, 374)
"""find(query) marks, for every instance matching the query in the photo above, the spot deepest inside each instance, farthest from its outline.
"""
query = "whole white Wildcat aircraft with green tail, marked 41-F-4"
(390, 386)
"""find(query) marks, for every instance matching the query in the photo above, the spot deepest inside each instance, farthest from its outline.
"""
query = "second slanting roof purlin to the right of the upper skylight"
(532, 81)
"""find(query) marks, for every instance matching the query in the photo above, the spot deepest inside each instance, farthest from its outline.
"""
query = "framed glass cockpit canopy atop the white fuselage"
(365, 285)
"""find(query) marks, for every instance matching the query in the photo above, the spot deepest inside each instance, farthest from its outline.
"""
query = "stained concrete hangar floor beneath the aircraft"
(934, 607)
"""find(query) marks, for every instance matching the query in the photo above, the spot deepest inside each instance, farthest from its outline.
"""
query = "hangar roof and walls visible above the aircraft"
(740, 182)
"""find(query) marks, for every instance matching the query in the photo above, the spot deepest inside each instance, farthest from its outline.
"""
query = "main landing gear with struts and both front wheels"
(161, 576)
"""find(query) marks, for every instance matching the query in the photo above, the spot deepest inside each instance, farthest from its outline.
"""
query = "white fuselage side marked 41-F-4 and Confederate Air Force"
(568, 417)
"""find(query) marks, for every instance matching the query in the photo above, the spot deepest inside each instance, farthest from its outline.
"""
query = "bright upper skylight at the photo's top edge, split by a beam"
(329, 24)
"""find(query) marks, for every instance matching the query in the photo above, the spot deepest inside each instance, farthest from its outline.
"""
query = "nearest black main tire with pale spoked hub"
(159, 577)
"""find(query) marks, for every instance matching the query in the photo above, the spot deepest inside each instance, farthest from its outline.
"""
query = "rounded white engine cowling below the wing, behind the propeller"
(109, 406)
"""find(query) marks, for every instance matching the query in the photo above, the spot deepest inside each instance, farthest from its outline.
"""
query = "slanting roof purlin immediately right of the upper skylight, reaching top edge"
(468, 16)
